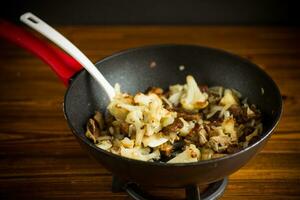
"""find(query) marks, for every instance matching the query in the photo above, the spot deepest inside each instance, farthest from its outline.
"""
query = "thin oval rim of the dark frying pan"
(268, 132)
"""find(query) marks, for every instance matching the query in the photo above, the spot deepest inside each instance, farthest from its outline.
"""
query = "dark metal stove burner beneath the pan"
(213, 191)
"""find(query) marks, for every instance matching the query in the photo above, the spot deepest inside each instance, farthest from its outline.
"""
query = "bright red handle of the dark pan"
(61, 63)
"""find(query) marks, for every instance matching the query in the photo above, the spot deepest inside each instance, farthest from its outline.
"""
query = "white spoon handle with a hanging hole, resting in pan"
(50, 33)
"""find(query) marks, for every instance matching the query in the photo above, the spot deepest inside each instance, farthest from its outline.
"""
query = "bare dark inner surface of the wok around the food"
(137, 69)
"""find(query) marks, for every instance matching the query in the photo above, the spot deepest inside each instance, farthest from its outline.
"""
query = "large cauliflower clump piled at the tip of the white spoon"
(143, 111)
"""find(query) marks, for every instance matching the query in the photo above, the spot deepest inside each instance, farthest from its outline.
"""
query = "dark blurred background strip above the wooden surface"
(203, 12)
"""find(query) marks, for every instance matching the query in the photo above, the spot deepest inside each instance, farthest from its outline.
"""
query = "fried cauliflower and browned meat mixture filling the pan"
(186, 123)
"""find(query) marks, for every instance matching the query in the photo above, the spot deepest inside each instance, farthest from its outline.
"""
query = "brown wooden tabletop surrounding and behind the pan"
(40, 159)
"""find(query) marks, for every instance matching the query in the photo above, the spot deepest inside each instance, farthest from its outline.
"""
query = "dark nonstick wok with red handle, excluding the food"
(131, 68)
